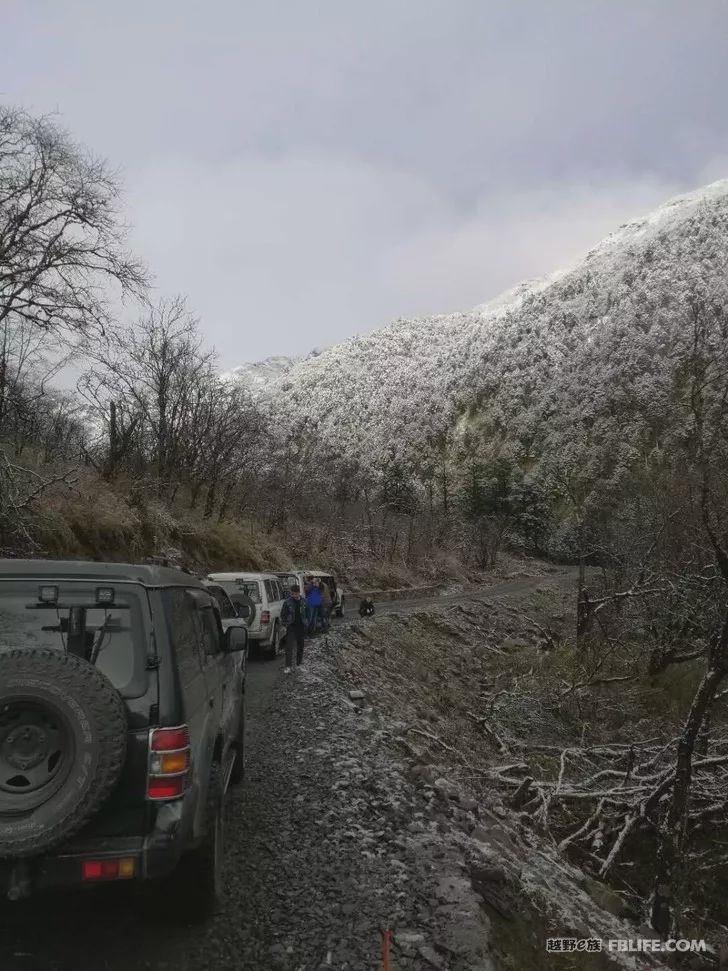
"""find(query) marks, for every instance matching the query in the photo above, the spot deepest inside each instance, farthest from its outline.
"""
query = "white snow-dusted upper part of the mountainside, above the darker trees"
(562, 350)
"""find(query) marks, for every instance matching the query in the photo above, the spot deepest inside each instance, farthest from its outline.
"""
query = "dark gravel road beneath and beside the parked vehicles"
(328, 841)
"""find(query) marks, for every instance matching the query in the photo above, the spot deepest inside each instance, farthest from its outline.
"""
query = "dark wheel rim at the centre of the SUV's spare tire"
(36, 750)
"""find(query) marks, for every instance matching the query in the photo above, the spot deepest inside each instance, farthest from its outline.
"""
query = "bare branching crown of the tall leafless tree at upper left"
(61, 238)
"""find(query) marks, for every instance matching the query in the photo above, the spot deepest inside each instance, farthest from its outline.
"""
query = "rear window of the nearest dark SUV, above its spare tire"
(112, 636)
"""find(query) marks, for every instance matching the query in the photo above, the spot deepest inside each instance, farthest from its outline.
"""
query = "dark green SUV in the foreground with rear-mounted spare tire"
(121, 727)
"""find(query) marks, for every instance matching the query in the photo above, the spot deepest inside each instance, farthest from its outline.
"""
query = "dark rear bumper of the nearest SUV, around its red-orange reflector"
(154, 857)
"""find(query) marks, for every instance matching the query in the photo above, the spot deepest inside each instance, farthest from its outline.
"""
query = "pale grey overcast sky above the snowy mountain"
(305, 171)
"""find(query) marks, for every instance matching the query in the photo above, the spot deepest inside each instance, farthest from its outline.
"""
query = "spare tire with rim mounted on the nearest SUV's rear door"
(62, 747)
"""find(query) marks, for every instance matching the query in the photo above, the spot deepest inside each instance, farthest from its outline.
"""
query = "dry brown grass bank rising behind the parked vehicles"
(124, 520)
